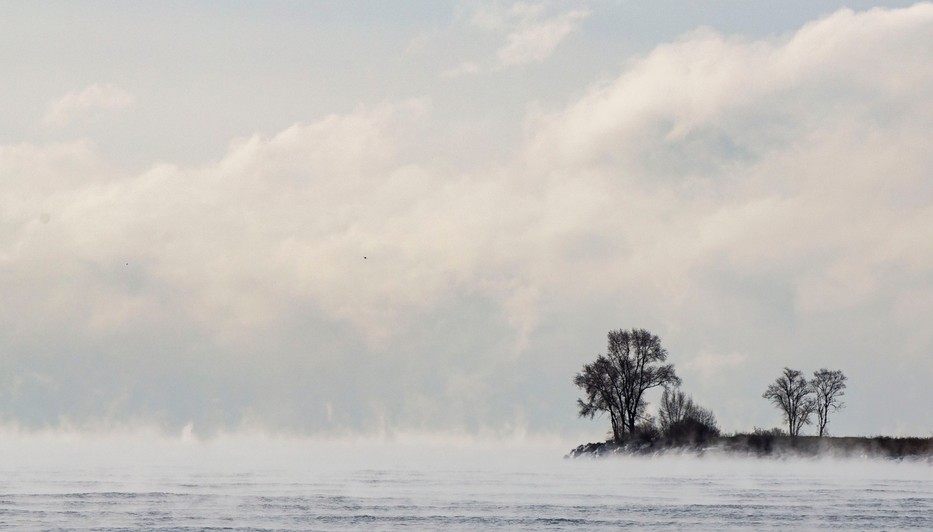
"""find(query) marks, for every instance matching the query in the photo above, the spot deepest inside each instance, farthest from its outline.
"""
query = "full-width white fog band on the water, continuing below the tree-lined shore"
(258, 451)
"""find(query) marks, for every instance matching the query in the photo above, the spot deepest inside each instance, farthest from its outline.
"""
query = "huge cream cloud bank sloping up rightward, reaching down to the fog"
(769, 198)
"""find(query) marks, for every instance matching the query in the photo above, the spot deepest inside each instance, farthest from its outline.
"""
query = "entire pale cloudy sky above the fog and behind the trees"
(371, 218)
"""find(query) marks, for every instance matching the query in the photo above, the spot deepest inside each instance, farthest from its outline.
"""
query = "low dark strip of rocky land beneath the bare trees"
(765, 445)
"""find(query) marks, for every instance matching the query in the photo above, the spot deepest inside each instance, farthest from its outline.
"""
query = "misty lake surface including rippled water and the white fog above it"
(258, 482)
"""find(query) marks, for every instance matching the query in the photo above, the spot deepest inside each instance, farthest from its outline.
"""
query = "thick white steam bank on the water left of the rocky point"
(260, 451)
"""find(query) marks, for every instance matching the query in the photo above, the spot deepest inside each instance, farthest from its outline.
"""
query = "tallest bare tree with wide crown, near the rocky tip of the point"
(617, 381)
